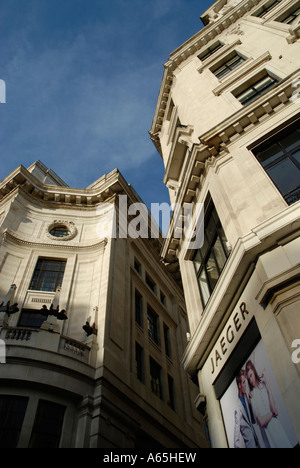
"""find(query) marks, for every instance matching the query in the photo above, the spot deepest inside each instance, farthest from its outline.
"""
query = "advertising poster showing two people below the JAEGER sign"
(253, 410)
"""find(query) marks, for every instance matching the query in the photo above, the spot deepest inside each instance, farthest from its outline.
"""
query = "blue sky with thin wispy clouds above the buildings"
(82, 80)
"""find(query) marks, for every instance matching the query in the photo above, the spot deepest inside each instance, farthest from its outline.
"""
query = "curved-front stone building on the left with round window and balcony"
(93, 325)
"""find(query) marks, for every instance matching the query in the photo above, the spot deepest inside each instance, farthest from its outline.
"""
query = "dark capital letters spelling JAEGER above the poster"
(229, 336)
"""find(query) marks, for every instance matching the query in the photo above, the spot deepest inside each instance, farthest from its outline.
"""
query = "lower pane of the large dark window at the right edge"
(285, 175)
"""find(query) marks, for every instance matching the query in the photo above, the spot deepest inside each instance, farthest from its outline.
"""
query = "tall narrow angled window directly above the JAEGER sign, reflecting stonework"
(210, 260)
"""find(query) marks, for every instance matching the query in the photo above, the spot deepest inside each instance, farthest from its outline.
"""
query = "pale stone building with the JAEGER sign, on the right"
(227, 125)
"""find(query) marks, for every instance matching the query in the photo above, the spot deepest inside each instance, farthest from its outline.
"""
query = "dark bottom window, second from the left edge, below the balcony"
(47, 426)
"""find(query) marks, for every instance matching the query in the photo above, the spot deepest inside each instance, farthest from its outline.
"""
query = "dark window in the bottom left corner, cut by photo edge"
(12, 413)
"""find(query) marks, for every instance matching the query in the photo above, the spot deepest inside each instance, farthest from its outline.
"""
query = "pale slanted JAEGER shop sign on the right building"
(233, 331)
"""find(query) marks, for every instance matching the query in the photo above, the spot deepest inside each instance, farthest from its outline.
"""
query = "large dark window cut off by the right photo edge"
(280, 157)
